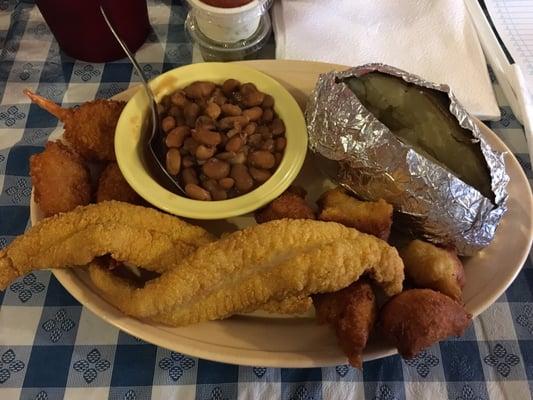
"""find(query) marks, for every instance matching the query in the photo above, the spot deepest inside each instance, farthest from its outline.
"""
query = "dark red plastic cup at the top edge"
(82, 33)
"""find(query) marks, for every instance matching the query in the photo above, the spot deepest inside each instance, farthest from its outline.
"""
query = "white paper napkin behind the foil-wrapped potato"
(431, 38)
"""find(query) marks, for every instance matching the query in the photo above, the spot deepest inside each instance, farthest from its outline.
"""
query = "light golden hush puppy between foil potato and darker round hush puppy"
(428, 266)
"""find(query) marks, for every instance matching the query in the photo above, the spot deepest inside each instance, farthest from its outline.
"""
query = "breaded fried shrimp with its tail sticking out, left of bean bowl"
(90, 128)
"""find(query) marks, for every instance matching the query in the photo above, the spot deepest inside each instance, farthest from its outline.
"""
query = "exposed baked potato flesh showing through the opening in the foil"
(419, 117)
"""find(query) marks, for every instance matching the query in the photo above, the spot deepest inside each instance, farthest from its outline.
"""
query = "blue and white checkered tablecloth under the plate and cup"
(52, 348)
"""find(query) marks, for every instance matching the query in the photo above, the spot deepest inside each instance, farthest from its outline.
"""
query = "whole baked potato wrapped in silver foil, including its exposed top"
(395, 136)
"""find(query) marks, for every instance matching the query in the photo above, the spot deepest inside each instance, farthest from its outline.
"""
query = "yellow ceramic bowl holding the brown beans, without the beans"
(131, 127)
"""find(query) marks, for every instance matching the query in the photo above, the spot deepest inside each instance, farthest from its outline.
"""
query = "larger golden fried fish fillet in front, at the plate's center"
(251, 267)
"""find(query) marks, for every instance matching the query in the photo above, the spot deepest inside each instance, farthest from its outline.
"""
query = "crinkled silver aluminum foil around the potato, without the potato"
(371, 162)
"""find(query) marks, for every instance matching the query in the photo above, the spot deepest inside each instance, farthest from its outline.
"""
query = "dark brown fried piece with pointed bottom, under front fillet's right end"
(351, 312)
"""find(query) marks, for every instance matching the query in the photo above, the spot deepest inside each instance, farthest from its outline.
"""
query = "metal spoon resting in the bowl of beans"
(155, 142)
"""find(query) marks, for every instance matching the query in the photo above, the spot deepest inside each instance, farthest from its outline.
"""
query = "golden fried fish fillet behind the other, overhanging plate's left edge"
(134, 234)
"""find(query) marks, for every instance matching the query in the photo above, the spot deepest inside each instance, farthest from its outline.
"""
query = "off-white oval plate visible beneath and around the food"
(262, 340)
